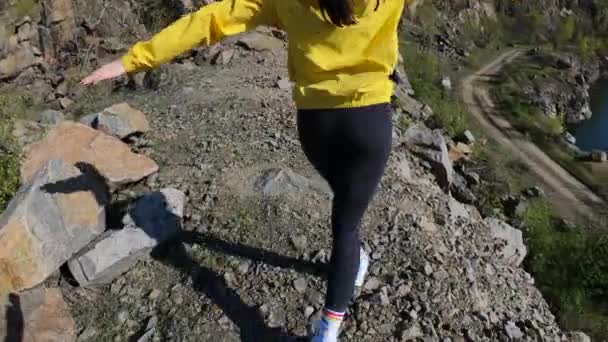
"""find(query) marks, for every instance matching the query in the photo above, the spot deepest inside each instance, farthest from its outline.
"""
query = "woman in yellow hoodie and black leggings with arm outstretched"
(341, 56)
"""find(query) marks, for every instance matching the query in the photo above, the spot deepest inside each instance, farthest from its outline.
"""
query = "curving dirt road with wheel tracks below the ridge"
(571, 197)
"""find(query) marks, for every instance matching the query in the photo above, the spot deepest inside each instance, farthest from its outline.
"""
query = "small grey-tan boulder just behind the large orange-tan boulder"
(120, 120)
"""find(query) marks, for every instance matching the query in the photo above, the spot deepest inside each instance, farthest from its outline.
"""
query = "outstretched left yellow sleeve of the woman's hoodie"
(207, 26)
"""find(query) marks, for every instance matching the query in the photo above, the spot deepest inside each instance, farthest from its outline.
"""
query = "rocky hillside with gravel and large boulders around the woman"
(190, 213)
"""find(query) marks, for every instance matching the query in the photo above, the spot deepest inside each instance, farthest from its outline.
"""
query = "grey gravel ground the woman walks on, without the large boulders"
(249, 264)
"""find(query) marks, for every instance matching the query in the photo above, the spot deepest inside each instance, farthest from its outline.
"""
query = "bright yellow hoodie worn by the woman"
(332, 67)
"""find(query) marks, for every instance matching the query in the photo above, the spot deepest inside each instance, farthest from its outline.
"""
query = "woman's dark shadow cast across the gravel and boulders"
(173, 253)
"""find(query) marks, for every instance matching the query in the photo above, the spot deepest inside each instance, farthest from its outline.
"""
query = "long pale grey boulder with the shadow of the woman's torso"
(154, 219)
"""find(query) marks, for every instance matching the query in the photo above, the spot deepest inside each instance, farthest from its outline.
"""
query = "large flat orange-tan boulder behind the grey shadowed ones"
(73, 143)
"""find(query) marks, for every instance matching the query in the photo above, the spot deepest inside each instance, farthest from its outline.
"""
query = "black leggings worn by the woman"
(350, 148)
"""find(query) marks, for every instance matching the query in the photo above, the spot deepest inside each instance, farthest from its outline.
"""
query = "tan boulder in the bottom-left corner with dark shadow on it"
(37, 315)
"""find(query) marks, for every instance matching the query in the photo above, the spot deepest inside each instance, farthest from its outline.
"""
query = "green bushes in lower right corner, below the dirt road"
(571, 269)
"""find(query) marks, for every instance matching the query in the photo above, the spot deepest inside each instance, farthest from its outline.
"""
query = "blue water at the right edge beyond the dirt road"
(593, 133)
